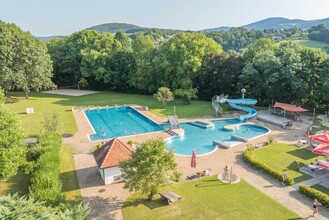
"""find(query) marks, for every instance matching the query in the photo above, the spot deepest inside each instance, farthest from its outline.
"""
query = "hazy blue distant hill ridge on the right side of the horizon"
(278, 23)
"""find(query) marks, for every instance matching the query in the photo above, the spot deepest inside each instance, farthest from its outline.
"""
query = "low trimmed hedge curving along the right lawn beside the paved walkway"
(248, 156)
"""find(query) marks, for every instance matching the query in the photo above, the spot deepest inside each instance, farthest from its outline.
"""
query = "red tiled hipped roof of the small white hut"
(112, 153)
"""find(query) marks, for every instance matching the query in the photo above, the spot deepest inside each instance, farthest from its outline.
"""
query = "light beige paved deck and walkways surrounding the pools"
(106, 201)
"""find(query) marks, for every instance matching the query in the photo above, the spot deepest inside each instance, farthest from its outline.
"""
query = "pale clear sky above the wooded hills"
(63, 17)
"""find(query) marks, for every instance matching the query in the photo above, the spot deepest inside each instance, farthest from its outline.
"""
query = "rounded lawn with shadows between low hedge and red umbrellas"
(284, 157)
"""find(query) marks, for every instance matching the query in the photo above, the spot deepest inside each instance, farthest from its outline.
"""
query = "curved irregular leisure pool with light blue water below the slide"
(201, 139)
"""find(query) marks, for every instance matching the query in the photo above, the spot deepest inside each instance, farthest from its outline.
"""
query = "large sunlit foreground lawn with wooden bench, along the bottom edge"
(208, 198)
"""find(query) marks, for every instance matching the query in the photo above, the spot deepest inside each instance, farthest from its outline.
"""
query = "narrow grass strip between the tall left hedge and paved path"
(68, 176)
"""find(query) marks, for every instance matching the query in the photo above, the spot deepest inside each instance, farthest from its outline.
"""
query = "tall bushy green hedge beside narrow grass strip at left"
(45, 179)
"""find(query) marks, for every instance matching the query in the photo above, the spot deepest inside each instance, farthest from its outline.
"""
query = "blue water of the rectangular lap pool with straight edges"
(118, 122)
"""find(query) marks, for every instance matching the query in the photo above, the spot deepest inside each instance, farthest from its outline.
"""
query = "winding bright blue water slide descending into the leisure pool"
(239, 104)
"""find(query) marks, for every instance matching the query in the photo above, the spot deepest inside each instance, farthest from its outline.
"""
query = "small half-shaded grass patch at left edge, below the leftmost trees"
(17, 184)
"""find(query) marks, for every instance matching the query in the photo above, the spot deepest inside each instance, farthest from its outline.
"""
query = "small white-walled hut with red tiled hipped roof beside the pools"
(108, 158)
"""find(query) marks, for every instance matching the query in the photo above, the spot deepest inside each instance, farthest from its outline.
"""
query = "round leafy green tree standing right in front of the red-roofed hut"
(148, 167)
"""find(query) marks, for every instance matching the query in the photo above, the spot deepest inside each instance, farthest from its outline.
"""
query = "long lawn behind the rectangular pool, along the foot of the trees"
(47, 103)
